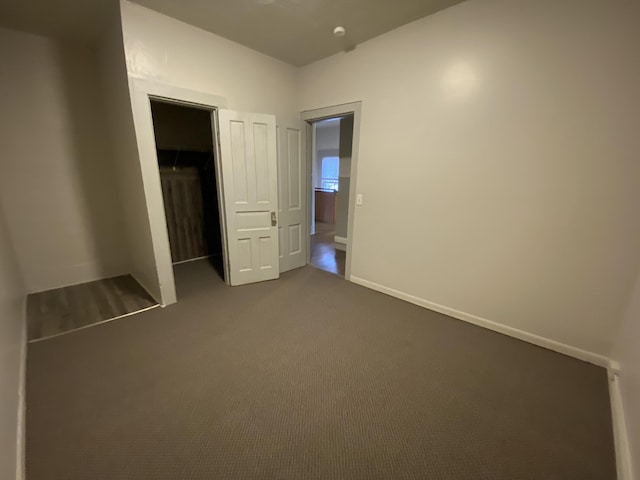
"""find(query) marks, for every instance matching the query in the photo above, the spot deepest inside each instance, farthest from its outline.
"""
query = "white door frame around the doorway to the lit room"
(310, 116)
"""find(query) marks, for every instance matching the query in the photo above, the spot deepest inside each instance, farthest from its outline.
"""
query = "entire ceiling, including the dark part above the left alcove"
(296, 31)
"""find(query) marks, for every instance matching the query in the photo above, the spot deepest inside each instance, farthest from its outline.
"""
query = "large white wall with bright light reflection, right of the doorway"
(499, 161)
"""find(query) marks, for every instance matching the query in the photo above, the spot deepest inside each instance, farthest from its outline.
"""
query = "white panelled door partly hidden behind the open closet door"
(292, 183)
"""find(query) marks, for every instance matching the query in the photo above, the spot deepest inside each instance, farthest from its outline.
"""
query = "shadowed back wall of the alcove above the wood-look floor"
(56, 181)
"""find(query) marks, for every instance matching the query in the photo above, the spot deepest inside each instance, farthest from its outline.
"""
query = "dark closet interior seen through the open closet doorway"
(186, 158)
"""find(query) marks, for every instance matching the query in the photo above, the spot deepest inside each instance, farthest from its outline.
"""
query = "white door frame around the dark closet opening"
(142, 92)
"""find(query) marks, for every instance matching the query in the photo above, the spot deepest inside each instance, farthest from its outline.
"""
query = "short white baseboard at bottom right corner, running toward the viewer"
(620, 438)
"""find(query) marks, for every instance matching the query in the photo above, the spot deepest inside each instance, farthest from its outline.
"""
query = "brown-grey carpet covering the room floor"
(308, 377)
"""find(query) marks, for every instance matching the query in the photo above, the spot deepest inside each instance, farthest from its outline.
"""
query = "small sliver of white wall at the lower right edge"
(627, 352)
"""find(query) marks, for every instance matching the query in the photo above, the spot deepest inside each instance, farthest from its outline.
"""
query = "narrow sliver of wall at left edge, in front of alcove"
(12, 345)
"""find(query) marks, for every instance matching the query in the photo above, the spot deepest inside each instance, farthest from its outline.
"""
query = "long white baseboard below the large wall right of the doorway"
(565, 349)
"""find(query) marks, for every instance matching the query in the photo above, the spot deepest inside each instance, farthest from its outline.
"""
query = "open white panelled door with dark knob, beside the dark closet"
(248, 155)
